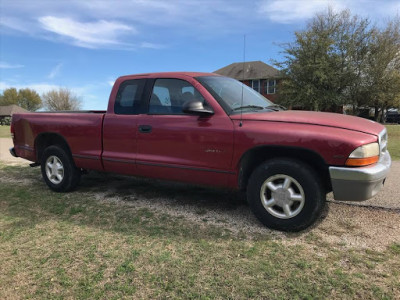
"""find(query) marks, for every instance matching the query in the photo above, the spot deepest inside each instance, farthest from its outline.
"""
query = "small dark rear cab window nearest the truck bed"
(129, 97)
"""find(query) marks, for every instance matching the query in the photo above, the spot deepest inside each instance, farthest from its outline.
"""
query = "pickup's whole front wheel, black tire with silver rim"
(266, 183)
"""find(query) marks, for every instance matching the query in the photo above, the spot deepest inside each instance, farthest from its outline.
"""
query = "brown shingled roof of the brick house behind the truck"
(252, 70)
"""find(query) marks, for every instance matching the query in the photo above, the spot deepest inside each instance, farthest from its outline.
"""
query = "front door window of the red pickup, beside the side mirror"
(169, 95)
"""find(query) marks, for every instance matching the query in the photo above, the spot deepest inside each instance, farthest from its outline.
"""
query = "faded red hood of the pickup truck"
(315, 118)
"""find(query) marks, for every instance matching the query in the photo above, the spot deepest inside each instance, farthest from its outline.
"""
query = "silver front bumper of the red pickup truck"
(359, 184)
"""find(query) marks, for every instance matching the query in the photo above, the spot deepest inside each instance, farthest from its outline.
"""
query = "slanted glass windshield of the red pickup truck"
(228, 92)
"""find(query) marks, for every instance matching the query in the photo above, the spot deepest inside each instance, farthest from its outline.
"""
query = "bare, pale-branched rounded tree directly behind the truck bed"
(61, 99)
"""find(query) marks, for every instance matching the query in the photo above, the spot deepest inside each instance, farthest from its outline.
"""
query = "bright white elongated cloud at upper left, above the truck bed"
(88, 34)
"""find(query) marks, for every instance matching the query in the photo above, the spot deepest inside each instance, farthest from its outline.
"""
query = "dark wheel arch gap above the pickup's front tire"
(255, 156)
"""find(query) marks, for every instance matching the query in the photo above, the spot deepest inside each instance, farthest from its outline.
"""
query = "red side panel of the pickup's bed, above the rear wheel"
(82, 131)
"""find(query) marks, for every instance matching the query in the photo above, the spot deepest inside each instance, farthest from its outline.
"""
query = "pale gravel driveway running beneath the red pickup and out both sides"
(363, 225)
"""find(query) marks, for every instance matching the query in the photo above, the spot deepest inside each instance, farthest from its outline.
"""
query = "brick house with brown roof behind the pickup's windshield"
(256, 74)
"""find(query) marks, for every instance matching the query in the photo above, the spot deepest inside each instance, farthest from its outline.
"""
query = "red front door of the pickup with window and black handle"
(178, 146)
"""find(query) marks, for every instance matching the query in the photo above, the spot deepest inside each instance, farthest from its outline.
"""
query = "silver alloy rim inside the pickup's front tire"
(282, 196)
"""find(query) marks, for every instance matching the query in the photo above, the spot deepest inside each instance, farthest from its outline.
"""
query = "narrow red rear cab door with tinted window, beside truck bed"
(120, 128)
